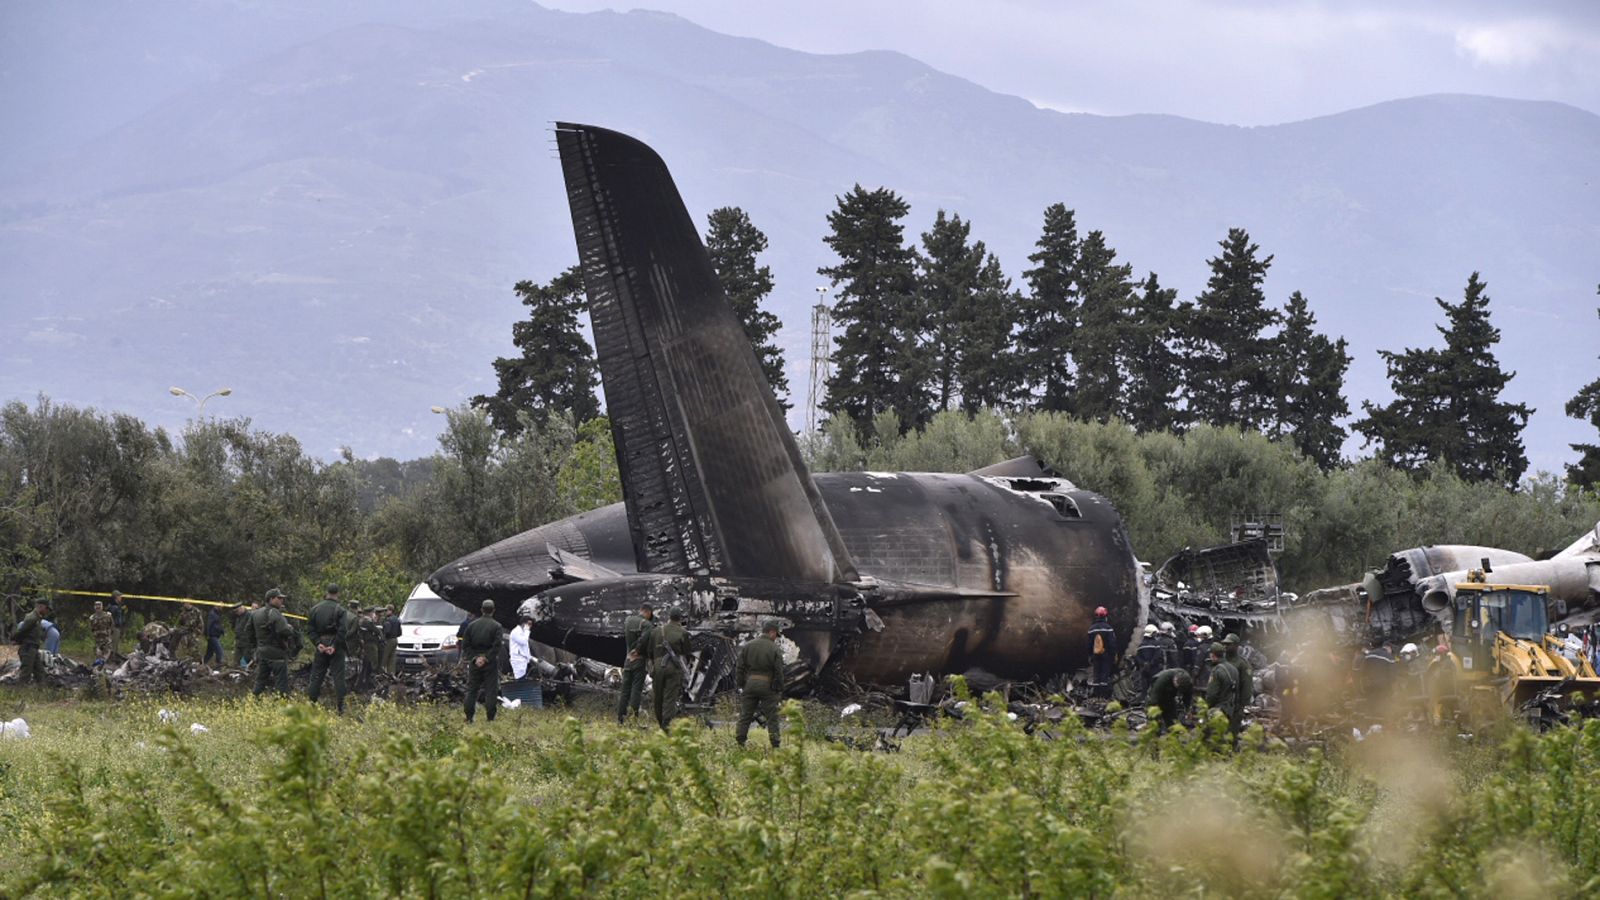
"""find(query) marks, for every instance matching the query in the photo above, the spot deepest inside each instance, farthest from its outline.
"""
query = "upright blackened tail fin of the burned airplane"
(711, 473)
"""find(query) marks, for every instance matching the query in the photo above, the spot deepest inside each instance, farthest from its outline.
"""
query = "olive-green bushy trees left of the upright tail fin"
(97, 500)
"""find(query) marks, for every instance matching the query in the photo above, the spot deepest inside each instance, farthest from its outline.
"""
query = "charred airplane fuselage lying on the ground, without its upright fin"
(958, 573)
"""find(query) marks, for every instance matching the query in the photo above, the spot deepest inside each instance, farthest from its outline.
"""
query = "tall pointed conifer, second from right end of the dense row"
(1226, 360)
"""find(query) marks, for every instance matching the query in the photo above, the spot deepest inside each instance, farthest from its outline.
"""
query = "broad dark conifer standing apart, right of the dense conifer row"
(1447, 401)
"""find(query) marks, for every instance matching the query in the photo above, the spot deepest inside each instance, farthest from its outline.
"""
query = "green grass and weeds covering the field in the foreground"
(290, 802)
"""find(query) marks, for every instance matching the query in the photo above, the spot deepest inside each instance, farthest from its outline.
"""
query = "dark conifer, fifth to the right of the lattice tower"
(1102, 335)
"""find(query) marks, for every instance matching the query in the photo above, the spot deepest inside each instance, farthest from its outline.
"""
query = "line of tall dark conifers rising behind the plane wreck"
(938, 326)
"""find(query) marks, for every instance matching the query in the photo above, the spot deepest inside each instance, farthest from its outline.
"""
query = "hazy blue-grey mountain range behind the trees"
(324, 206)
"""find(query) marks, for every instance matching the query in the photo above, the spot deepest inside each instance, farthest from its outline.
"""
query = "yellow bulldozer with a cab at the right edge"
(1508, 657)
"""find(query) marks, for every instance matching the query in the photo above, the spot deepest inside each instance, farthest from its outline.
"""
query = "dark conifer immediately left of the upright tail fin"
(558, 366)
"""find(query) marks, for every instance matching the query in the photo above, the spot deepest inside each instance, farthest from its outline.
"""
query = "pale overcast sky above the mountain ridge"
(1236, 62)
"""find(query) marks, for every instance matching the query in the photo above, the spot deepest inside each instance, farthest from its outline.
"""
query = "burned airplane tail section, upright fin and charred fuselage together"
(874, 577)
